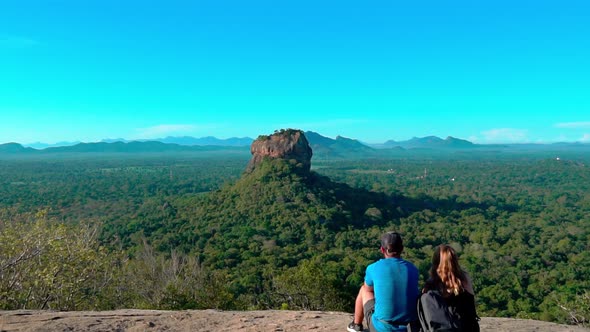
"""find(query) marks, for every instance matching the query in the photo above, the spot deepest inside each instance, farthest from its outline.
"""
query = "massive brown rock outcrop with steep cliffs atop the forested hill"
(287, 144)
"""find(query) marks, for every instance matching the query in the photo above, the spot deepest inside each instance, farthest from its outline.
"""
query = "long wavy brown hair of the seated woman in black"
(445, 270)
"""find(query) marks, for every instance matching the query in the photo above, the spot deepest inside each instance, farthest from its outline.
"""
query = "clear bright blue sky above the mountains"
(487, 71)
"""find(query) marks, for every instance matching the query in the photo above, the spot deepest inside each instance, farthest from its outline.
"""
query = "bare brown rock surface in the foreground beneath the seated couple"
(213, 320)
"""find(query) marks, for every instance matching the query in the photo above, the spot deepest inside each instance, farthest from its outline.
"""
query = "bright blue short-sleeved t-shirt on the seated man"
(395, 283)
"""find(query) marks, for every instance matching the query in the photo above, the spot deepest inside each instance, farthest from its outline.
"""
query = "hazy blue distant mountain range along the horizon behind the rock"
(323, 147)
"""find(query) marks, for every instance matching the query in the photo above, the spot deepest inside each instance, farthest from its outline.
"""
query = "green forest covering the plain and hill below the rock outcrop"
(192, 230)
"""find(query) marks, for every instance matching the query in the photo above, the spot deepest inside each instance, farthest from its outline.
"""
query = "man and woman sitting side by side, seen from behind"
(390, 299)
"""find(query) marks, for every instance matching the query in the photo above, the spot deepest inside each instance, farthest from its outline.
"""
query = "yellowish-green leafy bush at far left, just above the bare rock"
(48, 265)
